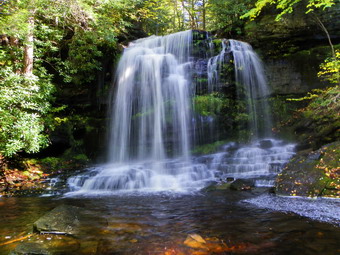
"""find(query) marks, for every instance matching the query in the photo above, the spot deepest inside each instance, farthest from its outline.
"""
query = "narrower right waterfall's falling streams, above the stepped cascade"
(250, 82)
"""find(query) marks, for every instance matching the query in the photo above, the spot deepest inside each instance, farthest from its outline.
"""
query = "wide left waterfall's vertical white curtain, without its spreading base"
(151, 116)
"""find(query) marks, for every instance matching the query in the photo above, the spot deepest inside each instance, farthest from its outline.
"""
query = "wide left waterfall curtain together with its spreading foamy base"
(150, 122)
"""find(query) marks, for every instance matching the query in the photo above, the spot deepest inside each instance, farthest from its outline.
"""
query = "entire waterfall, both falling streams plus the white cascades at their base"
(153, 125)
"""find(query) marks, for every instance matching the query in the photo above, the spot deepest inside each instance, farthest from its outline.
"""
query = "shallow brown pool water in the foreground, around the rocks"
(160, 223)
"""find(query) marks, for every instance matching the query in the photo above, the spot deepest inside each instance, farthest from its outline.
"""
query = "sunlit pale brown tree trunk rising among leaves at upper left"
(28, 50)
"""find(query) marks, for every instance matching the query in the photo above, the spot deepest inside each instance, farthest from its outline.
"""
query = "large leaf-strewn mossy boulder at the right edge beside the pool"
(312, 174)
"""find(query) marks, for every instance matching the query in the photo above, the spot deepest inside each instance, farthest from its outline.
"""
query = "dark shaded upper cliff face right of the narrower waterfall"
(293, 47)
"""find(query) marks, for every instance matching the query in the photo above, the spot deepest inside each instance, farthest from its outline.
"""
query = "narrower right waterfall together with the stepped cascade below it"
(254, 160)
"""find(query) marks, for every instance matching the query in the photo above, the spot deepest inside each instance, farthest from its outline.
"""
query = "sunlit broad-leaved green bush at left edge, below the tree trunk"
(24, 102)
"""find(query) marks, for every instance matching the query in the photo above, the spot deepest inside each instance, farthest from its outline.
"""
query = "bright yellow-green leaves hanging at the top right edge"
(286, 6)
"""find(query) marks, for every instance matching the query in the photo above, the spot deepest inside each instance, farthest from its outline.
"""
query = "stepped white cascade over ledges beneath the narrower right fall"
(261, 160)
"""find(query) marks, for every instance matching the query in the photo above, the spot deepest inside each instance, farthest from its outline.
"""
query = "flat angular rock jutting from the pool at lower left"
(64, 220)
